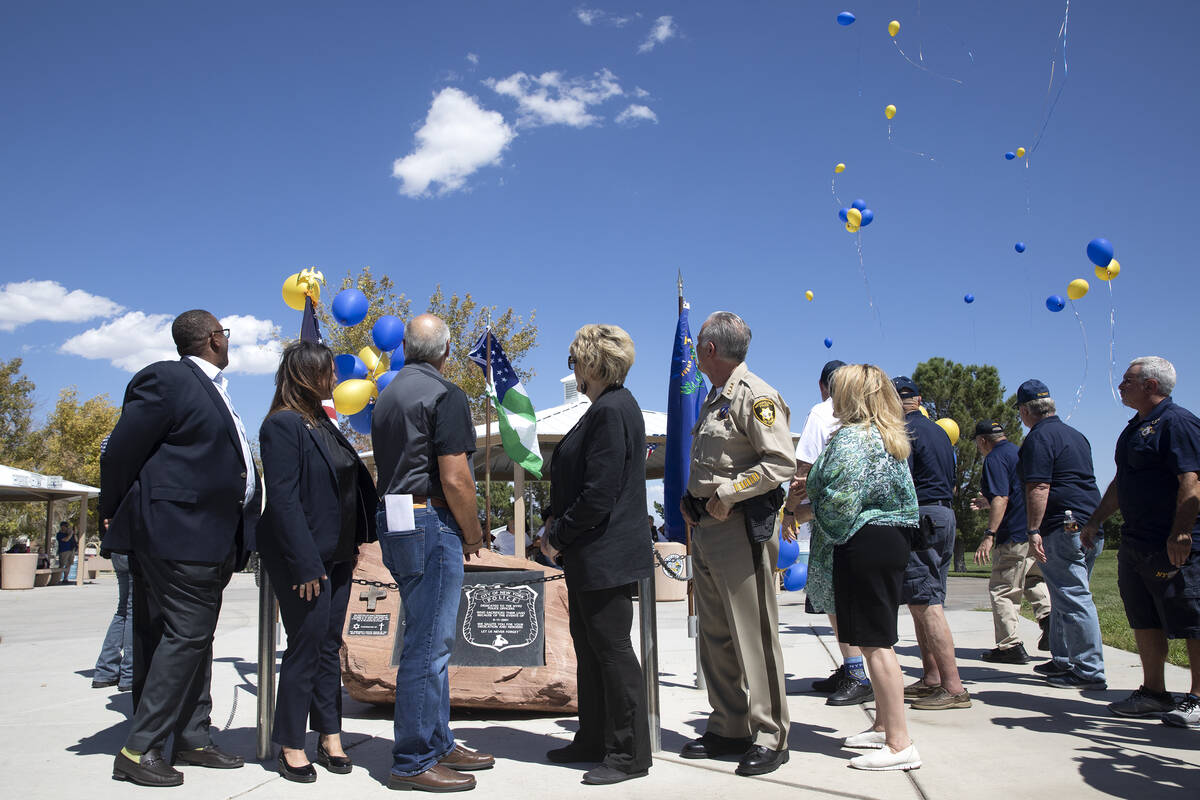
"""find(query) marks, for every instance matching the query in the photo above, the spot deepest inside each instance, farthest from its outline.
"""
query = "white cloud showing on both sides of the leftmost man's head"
(136, 340)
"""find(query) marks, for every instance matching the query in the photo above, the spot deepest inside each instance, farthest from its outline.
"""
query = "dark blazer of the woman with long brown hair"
(303, 519)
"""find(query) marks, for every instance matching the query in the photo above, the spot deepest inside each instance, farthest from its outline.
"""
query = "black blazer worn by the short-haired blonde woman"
(598, 496)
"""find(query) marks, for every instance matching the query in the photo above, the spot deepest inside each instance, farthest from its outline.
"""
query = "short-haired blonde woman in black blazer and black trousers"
(598, 530)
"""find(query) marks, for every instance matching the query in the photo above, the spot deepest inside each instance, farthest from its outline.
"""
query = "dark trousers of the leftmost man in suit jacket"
(176, 611)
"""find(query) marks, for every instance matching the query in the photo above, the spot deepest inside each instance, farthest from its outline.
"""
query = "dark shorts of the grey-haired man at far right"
(1155, 601)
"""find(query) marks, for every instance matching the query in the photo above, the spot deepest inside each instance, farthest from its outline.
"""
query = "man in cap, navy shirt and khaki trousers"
(1015, 573)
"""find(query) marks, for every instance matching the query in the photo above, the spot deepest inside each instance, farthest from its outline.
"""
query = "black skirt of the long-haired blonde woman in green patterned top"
(868, 581)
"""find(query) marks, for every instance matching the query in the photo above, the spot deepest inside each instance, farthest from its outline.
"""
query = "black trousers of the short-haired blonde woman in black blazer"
(611, 690)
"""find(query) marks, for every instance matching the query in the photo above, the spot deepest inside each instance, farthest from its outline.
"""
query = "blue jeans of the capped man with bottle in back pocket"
(1075, 625)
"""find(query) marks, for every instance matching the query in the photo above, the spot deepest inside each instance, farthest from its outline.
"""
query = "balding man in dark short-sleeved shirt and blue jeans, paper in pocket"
(424, 441)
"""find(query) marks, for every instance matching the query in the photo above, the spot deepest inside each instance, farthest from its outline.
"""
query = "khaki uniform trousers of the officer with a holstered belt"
(740, 653)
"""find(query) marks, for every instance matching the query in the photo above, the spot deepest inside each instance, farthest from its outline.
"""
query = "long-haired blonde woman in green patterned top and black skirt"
(865, 508)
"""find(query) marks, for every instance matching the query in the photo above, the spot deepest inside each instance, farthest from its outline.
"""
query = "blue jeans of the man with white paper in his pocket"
(428, 567)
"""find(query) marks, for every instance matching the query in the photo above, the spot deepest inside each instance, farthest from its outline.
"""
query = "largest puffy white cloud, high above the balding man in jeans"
(459, 139)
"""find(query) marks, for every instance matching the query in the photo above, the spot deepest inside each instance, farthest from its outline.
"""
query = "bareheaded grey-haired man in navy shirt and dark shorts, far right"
(1159, 563)
